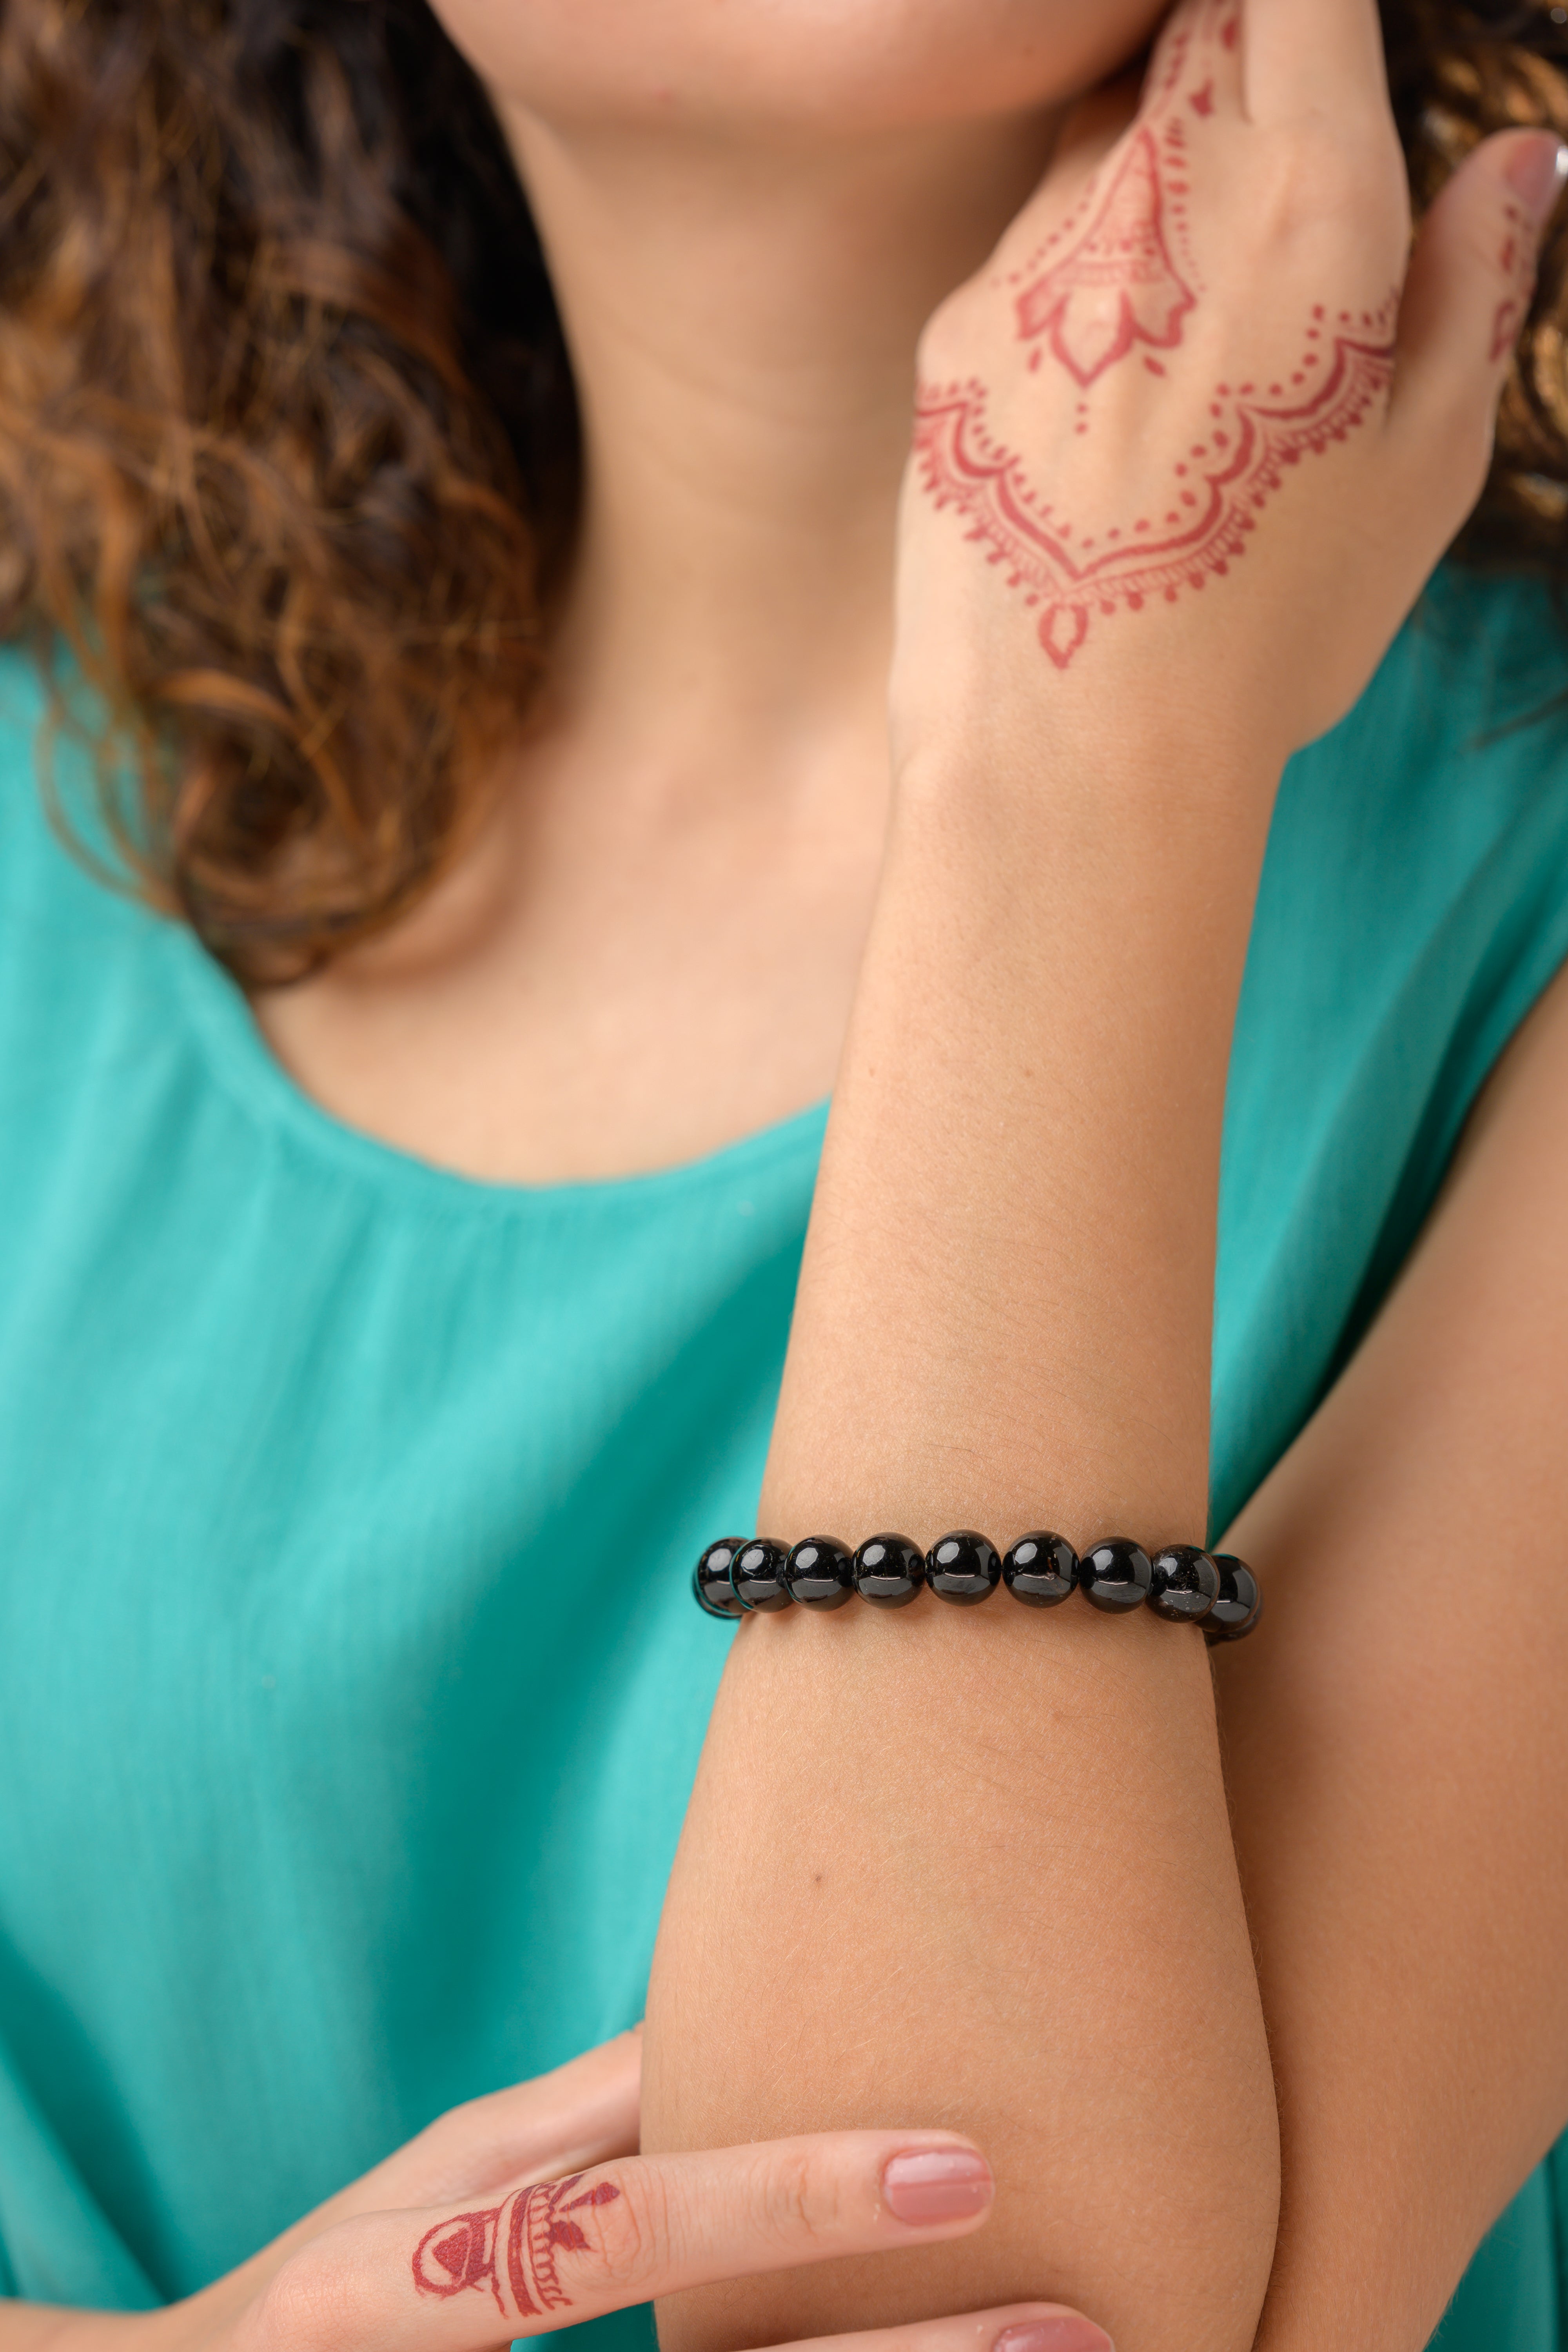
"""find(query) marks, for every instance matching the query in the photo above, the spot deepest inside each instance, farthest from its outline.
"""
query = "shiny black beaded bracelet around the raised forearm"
(1181, 1584)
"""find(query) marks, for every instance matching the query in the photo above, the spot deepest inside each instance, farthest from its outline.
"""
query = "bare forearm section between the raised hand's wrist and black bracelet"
(1010, 1283)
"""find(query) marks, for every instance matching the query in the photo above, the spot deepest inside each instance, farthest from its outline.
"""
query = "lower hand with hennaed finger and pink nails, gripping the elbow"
(469, 2236)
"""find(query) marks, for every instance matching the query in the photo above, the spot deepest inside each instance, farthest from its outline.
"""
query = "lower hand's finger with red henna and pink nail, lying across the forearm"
(547, 2257)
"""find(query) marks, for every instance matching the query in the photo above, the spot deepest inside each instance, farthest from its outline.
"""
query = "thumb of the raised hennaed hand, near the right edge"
(1470, 286)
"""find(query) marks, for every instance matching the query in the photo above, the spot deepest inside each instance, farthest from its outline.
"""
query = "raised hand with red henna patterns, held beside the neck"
(1205, 349)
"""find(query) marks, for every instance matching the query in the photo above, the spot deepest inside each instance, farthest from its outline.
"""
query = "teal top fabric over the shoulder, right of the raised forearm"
(1414, 907)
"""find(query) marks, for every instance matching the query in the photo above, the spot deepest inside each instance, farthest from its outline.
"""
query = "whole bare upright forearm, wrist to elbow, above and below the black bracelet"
(977, 1866)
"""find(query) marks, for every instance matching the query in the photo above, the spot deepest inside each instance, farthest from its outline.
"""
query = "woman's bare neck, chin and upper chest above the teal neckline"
(711, 780)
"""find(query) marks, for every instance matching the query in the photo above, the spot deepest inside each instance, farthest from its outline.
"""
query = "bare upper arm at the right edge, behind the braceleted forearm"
(1400, 1749)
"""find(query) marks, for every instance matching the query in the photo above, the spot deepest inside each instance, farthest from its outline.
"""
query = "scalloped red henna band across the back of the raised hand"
(1252, 436)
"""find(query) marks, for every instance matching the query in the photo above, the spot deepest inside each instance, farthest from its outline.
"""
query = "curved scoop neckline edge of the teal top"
(253, 1076)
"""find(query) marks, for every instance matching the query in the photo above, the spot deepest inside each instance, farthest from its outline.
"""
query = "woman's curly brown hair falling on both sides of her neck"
(290, 450)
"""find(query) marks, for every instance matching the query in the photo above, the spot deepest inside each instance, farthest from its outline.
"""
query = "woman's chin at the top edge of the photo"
(793, 65)
